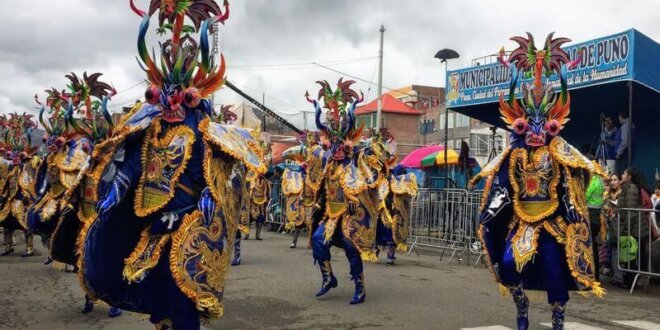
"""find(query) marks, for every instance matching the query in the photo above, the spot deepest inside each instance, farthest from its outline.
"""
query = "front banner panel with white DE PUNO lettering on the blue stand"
(605, 59)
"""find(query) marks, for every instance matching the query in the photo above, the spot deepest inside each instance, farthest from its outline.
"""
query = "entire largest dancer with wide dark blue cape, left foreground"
(172, 188)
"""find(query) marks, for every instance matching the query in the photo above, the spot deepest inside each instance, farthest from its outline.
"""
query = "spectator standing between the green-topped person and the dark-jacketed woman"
(609, 212)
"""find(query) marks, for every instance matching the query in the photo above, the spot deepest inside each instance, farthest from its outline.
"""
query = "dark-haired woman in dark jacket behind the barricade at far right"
(635, 224)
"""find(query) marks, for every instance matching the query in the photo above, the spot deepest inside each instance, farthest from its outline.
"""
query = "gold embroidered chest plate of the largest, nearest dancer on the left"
(163, 162)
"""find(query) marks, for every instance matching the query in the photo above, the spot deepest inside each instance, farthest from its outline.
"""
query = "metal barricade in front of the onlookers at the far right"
(647, 262)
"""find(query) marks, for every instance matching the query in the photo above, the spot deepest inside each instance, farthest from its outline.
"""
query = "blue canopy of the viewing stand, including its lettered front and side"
(600, 84)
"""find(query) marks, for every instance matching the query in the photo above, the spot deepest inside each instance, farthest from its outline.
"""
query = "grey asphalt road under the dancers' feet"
(274, 289)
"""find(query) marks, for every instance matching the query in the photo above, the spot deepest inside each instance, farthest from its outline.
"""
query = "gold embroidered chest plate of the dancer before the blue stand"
(534, 178)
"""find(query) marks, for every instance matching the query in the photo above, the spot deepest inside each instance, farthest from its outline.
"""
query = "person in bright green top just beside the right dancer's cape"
(598, 229)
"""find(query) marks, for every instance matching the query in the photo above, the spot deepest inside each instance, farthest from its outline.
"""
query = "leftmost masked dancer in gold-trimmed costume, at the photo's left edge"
(17, 184)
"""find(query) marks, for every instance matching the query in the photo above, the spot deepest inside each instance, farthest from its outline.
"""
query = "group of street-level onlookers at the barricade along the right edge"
(620, 235)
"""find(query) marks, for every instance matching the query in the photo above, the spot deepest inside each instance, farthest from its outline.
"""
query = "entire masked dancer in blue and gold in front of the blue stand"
(534, 221)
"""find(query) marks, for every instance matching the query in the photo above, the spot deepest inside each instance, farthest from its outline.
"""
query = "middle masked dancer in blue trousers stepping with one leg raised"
(348, 202)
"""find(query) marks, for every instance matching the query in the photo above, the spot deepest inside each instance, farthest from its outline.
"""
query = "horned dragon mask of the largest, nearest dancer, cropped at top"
(185, 73)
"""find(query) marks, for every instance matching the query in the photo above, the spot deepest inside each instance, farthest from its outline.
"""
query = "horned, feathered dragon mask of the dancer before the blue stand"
(540, 111)
